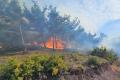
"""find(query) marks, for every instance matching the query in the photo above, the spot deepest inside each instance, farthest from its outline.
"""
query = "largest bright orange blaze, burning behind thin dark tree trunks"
(55, 43)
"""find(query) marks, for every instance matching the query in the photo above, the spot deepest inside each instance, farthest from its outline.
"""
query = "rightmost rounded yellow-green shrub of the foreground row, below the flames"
(54, 65)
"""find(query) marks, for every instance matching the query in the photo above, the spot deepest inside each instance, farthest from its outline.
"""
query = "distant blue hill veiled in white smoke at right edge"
(111, 29)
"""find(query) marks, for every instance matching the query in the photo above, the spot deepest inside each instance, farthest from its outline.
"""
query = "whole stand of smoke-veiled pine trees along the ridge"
(39, 24)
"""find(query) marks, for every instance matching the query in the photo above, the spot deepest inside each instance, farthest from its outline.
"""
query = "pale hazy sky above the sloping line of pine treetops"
(95, 15)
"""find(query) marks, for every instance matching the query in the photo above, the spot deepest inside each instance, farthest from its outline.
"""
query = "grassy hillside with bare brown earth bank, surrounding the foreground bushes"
(76, 63)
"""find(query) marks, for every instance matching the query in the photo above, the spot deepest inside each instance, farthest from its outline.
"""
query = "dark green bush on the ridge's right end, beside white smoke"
(102, 52)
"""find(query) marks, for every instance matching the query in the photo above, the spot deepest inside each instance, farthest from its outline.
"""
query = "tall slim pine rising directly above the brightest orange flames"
(55, 22)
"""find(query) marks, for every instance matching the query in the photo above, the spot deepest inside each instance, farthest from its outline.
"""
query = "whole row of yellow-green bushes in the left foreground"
(35, 68)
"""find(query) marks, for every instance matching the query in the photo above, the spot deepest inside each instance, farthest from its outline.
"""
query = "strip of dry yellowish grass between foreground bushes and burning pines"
(71, 58)
